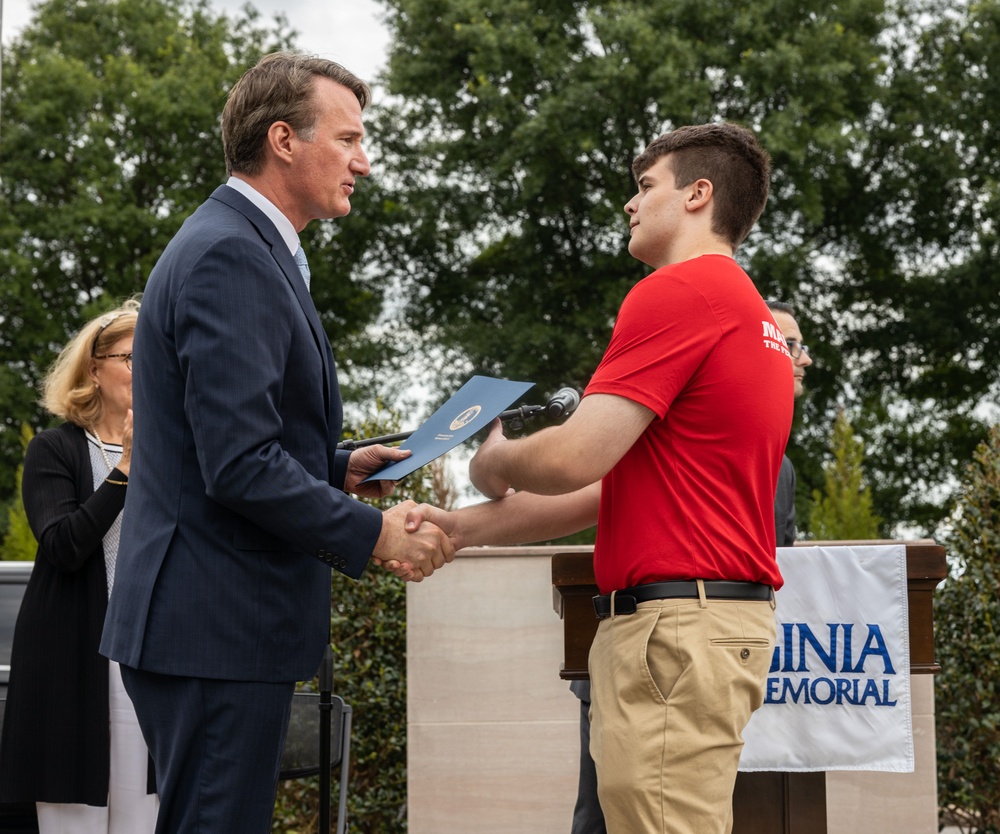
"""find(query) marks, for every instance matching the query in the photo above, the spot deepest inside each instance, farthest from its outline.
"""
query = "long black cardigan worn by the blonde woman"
(55, 745)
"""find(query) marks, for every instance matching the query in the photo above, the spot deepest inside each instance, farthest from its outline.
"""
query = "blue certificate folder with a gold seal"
(470, 408)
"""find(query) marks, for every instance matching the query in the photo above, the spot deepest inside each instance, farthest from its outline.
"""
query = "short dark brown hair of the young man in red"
(727, 155)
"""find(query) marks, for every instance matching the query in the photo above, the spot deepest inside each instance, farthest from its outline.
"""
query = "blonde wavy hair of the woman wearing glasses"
(68, 391)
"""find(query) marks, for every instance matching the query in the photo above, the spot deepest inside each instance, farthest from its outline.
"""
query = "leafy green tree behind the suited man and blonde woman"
(111, 138)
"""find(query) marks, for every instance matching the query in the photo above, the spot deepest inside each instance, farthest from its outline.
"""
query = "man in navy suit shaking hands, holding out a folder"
(237, 505)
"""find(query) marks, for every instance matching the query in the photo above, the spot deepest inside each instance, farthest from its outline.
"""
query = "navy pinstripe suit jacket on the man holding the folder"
(235, 482)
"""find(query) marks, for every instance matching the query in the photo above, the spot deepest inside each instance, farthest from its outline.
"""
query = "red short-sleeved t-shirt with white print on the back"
(694, 496)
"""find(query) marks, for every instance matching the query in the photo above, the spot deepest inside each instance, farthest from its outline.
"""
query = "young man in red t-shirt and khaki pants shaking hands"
(674, 453)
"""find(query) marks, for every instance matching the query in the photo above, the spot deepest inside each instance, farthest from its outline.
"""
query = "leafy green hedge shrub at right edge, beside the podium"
(967, 625)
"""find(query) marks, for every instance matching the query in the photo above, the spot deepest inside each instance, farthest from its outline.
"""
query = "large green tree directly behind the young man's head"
(516, 127)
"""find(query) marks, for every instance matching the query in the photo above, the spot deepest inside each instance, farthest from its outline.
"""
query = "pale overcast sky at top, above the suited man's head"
(347, 31)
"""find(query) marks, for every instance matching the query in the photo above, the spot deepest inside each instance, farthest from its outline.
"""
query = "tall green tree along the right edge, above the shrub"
(919, 303)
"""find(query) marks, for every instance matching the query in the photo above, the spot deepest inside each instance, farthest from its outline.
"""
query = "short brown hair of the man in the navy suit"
(278, 89)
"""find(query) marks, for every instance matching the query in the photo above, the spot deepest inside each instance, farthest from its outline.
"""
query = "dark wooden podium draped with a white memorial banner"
(763, 803)
